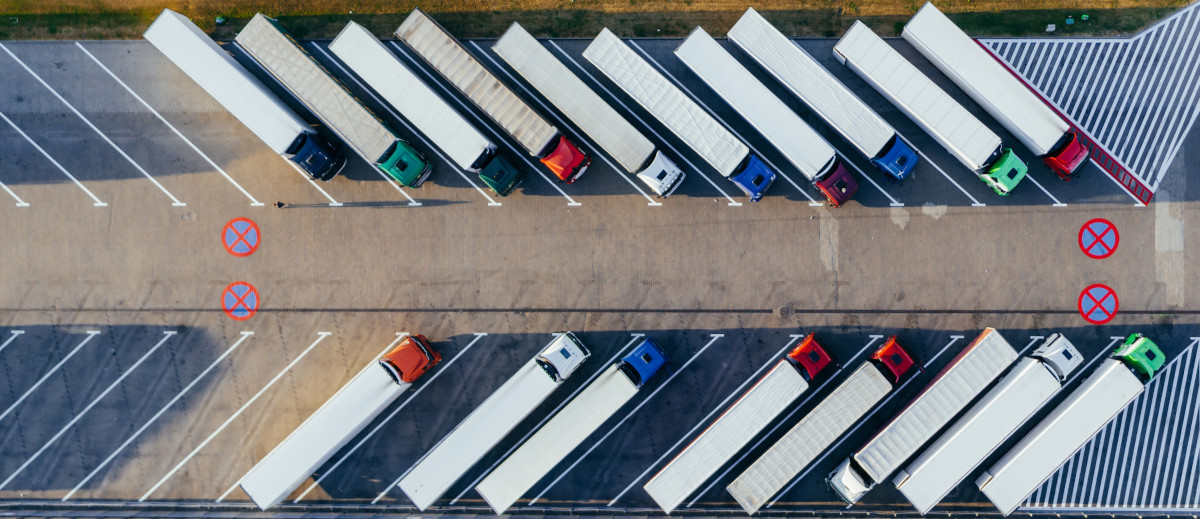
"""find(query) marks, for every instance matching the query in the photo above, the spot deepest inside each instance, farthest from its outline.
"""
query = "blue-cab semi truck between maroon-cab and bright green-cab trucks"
(841, 109)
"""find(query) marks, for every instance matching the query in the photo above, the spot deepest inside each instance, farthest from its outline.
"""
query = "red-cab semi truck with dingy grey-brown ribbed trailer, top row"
(447, 56)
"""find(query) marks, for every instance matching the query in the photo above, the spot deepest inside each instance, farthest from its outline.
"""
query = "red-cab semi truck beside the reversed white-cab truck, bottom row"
(853, 399)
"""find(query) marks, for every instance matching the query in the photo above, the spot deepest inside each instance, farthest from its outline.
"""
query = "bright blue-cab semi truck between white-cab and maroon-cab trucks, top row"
(680, 115)
